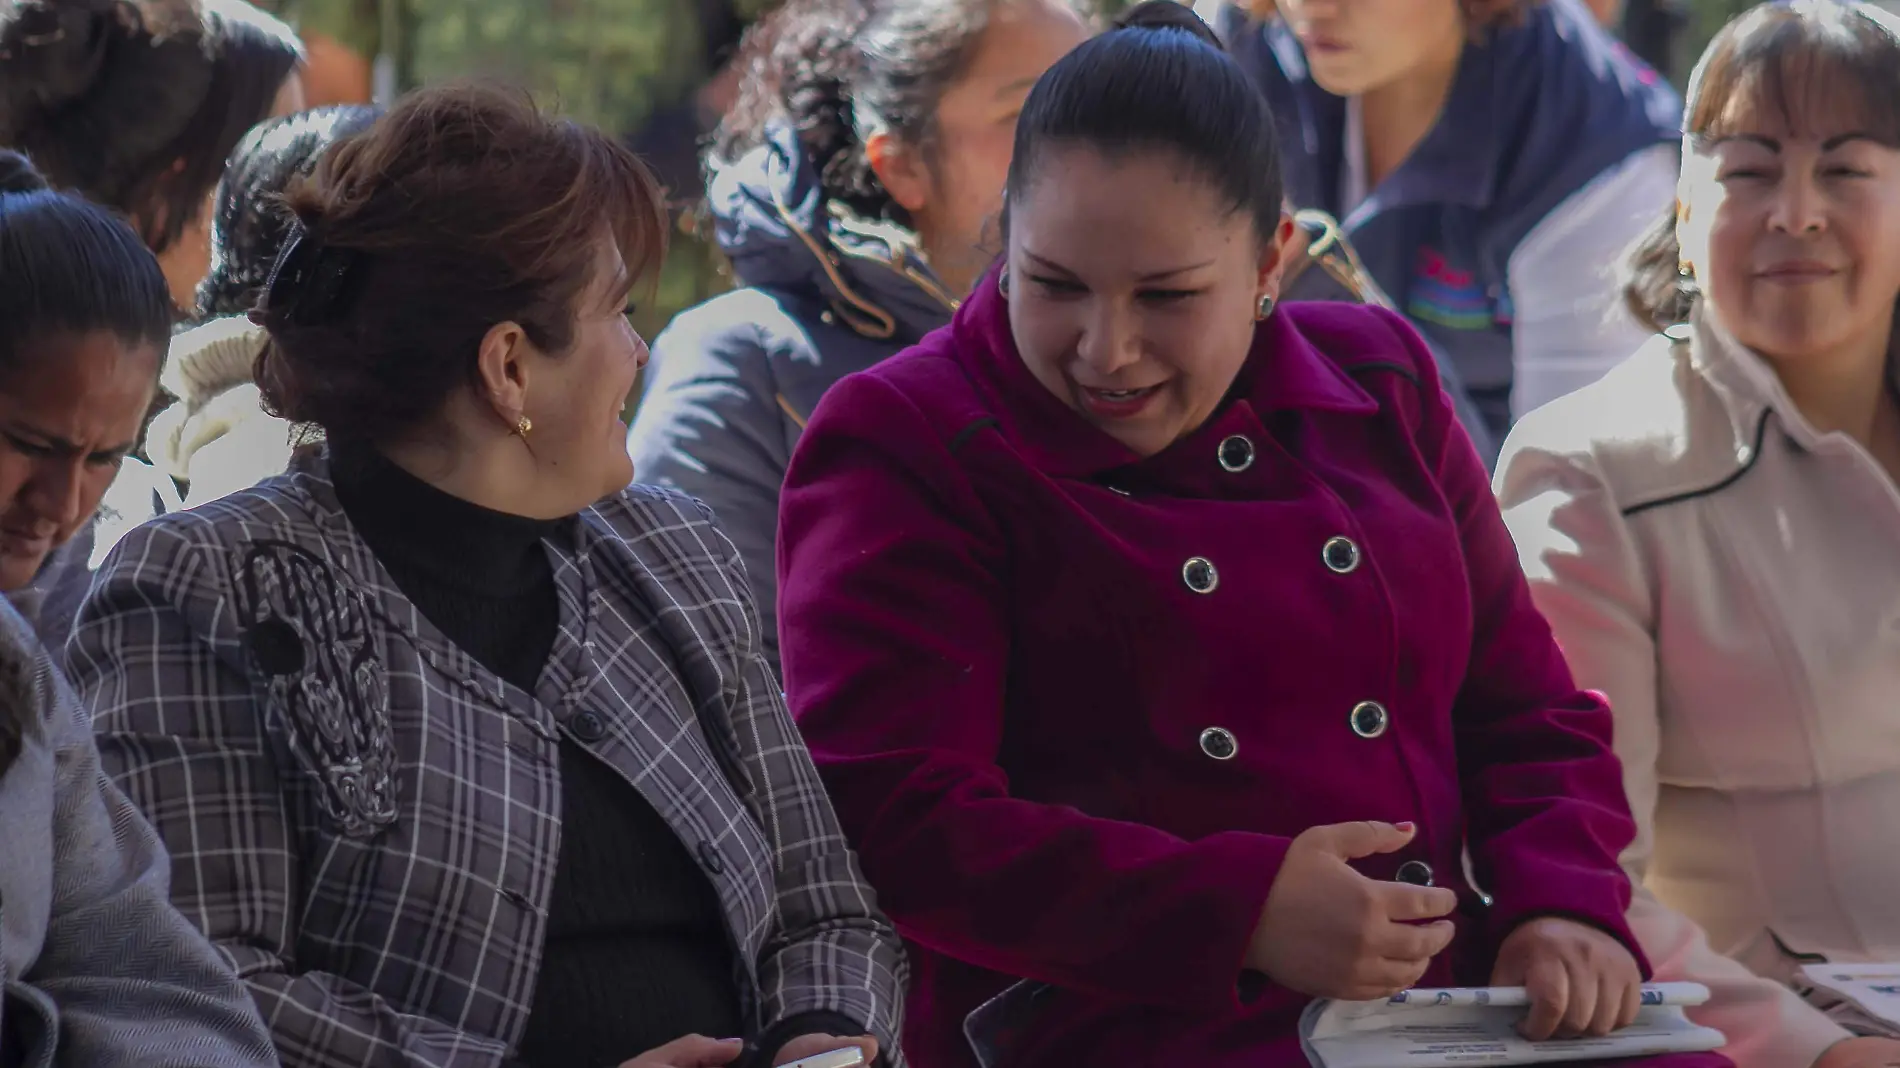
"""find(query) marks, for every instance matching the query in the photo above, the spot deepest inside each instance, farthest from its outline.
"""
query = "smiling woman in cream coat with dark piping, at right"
(1715, 533)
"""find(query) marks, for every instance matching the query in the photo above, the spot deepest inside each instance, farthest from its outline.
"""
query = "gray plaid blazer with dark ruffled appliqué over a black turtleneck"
(366, 820)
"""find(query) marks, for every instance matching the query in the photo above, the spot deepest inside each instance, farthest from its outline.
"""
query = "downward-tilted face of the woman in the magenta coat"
(1135, 290)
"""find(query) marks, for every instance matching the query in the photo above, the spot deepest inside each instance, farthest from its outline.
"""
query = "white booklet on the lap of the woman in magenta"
(1477, 1025)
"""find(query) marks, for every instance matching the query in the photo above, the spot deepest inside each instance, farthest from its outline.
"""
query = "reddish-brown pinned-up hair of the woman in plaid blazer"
(463, 208)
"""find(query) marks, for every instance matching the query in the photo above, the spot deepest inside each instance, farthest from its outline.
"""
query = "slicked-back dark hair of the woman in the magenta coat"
(1158, 83)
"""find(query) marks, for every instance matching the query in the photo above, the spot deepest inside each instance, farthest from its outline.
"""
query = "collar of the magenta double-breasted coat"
(1282, 373)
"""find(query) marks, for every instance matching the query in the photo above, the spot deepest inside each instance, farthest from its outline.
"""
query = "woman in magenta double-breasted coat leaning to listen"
(1166, 649)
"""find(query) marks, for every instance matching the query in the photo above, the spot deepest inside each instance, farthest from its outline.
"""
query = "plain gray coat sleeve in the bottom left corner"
(98, 970)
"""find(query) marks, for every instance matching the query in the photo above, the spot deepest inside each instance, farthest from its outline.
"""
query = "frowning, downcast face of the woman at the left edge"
(69, 415)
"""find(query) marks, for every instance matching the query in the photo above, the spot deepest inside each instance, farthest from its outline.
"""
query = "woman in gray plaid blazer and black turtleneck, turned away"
(466, 755)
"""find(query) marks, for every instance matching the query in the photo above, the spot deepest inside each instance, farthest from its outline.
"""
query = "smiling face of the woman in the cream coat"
(1793, 225)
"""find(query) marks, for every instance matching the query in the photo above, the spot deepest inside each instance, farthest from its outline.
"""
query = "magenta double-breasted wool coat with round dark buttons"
(1074, 704)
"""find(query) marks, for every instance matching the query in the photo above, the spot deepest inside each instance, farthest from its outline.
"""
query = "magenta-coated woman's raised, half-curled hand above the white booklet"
(1331, 932)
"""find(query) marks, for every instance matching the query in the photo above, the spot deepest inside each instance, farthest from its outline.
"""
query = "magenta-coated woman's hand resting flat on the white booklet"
(1580, 980)
